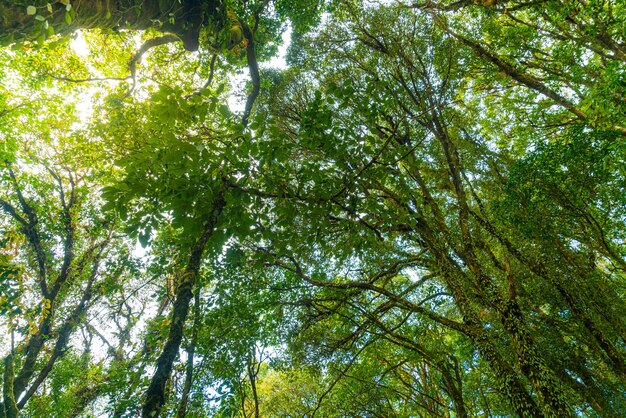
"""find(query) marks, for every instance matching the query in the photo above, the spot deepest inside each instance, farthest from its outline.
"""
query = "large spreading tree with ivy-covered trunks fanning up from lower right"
(387, 128)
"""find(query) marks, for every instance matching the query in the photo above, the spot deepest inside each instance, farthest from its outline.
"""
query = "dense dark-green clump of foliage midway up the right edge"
(557, 181)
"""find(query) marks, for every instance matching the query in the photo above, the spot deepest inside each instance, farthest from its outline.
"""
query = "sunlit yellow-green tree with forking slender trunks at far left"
(66, 252)
